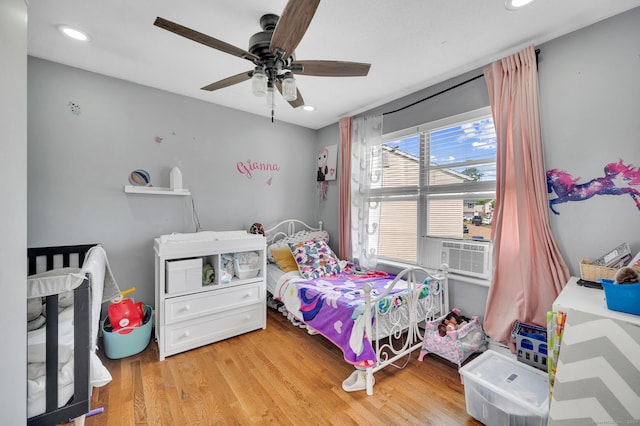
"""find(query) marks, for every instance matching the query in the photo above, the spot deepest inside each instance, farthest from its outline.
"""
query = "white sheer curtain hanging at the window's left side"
(366, 174)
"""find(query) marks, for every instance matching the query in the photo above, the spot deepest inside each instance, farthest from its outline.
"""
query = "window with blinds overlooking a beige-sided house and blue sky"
(436, 182)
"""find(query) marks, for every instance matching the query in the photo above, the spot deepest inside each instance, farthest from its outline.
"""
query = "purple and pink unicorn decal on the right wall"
(616, 180)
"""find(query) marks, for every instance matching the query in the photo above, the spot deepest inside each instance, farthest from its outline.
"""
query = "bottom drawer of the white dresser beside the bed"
(212, 328)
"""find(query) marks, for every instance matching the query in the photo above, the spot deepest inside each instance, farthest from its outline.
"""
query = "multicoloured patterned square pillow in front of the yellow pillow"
(315, 259)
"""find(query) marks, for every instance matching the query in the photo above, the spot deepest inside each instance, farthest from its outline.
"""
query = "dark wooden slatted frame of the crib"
(60, 257)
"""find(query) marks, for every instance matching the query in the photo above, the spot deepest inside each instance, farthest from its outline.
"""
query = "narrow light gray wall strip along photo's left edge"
(13, 223)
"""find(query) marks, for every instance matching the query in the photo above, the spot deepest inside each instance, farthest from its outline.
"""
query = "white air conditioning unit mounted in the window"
(465, 258)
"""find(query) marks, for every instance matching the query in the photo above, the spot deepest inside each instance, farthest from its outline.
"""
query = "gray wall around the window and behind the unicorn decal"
(590, 100)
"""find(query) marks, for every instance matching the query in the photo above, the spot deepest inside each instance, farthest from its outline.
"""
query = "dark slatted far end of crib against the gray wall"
(47, 258)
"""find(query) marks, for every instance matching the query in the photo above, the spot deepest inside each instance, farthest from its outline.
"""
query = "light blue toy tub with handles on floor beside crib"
(128, 340)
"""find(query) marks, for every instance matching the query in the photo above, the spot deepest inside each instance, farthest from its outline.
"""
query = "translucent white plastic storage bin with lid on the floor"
(502, 391)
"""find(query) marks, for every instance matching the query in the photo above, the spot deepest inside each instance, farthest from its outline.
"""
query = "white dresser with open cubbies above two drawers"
(190, 314)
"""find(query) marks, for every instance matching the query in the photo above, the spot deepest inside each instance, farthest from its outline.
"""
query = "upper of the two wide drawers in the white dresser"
(205, 303)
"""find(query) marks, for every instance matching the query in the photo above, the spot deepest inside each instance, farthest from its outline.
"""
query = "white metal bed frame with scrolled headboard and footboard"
(402, 339)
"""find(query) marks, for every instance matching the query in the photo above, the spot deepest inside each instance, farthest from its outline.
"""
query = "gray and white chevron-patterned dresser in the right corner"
(598, 373)
